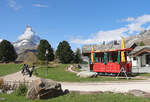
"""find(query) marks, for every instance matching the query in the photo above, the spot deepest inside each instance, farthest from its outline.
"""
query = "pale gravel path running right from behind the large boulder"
(108, 86)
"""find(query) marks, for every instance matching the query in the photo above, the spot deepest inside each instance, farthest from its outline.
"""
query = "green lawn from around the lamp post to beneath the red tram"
(59, 73)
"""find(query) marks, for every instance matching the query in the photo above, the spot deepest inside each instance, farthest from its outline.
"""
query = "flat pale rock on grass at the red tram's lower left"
(86, 74)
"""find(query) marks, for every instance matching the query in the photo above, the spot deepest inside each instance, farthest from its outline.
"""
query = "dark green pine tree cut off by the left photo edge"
(7, 51)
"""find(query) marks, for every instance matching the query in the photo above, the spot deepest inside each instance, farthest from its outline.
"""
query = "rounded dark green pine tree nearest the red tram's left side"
(64, 52)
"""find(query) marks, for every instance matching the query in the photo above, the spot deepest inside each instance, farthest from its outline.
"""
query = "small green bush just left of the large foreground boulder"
(22, 90)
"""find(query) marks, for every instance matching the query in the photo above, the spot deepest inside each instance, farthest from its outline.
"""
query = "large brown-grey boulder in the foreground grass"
(44, 89)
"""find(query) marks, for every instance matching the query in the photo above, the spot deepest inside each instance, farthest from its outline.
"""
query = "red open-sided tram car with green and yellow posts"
(109, 61)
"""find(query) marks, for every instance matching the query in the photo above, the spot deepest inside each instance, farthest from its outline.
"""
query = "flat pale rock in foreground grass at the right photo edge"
(139, 93)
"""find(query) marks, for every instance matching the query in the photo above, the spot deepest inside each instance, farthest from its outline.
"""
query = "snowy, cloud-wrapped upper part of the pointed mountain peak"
(27, 39)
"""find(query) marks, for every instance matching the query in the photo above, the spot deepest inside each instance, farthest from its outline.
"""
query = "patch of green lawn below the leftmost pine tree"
(9, 68)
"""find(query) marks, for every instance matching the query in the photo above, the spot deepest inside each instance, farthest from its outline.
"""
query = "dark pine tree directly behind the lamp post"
(43, 46)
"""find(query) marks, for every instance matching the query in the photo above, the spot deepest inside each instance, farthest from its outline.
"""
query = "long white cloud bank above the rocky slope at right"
(135, 25)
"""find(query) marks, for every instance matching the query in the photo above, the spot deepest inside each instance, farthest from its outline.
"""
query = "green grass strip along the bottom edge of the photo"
(74, 97)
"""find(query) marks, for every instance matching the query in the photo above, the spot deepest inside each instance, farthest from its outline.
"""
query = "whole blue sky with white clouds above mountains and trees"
(77, 21)
